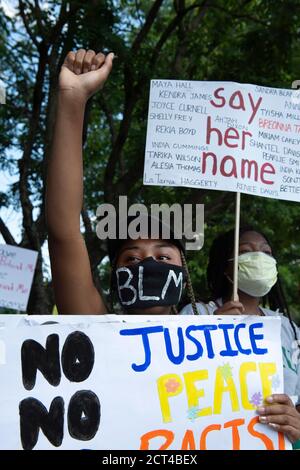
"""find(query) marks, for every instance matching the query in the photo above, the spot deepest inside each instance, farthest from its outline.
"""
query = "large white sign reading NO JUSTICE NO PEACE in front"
(139, 382)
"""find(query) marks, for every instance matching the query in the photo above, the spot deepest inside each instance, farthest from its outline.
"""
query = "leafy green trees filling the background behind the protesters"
(250, 41)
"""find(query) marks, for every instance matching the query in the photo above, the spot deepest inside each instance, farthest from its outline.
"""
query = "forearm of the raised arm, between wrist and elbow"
(64, 192)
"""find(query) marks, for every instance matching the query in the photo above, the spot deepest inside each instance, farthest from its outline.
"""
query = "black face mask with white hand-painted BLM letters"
(149, 283)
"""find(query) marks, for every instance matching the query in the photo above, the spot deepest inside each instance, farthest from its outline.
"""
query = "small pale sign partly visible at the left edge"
(16, 273)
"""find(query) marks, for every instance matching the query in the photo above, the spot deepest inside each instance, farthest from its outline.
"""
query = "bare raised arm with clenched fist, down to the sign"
(82, 74)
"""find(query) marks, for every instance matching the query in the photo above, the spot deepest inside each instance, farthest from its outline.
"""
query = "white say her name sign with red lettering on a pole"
(224, 136)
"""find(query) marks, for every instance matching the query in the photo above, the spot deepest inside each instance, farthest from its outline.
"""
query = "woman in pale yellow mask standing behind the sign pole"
(258, 284)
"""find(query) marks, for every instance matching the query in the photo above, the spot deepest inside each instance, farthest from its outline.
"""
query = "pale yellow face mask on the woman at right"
(257, 273)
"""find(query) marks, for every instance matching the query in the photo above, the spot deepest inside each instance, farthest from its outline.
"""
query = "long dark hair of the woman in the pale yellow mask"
(220, 287)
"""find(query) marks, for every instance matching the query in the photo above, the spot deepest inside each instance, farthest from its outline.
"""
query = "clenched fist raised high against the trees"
(85, 72)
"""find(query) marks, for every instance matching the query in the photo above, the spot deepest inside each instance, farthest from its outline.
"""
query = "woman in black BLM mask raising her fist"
(148, 275)
